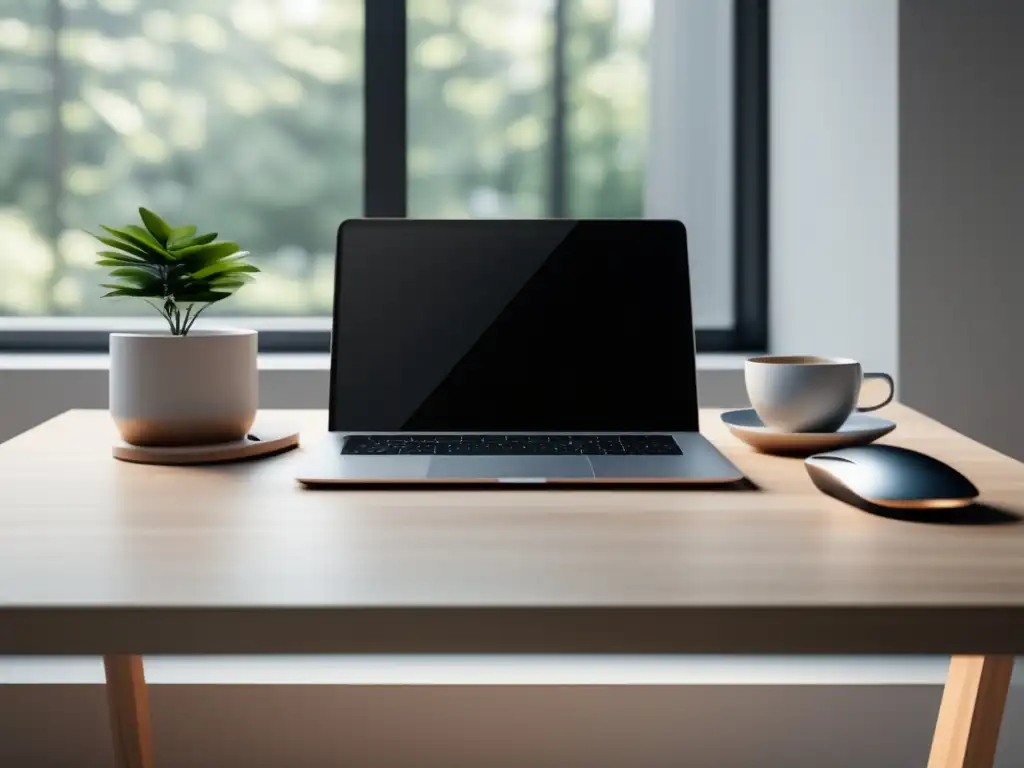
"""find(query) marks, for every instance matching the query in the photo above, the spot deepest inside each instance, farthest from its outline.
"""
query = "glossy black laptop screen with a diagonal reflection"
(513, 326)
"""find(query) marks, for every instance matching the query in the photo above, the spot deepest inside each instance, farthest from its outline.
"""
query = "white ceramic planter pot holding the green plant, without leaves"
(192, 391)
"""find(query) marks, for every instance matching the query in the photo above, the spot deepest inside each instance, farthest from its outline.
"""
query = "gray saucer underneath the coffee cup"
(860, 430)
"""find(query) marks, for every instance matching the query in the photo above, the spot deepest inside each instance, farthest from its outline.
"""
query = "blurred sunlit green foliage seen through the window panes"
(246, 116)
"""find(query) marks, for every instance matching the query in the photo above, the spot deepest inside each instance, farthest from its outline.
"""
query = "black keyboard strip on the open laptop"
(653, 445)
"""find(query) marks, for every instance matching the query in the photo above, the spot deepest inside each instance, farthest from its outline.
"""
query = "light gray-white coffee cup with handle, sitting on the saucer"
(806, 394)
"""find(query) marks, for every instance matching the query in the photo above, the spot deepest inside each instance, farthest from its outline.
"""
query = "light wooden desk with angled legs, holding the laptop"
(118, 560)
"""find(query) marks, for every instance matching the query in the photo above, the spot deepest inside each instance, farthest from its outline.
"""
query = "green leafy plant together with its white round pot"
(184, 387)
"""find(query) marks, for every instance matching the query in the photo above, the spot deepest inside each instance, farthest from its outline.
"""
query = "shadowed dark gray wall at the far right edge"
(962, 216)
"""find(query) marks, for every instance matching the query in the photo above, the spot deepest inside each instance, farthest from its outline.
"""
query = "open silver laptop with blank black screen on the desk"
(514, 352)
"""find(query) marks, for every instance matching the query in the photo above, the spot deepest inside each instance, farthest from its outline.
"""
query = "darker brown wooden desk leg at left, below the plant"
(130, 706)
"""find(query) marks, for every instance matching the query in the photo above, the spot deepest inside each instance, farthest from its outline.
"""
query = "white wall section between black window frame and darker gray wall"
(834, 180)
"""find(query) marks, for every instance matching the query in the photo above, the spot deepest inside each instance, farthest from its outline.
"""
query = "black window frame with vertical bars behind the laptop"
(386, 175)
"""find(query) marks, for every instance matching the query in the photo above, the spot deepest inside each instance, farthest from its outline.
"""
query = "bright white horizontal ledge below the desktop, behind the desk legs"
(470, 670)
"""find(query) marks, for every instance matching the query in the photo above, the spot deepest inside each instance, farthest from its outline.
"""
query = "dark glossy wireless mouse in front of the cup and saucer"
(890, 477)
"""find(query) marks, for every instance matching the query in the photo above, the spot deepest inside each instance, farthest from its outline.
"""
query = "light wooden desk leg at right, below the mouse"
(971, 712)
